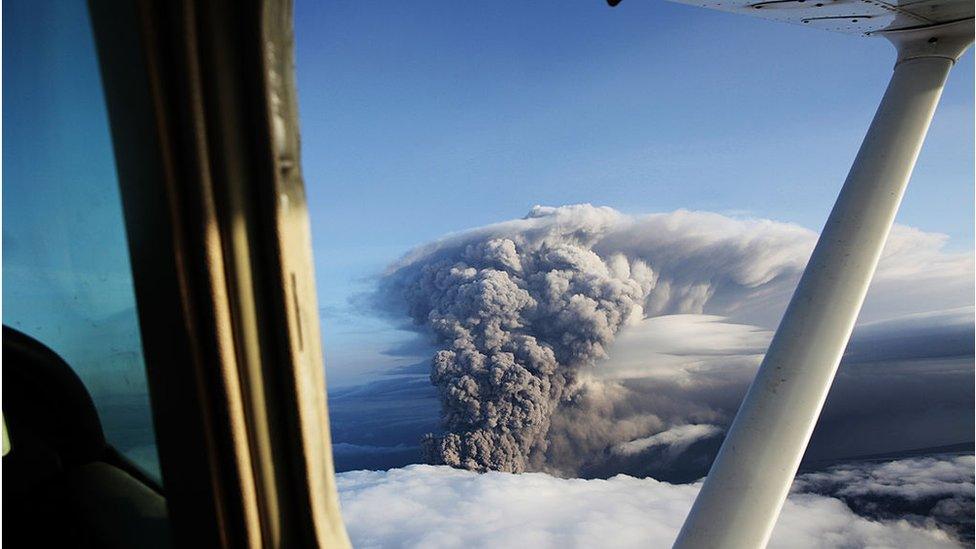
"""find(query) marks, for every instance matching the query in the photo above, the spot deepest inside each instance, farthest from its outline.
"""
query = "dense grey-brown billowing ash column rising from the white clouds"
(517, 318)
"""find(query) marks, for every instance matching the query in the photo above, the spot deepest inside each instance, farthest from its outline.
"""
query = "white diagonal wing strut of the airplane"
(750, 479)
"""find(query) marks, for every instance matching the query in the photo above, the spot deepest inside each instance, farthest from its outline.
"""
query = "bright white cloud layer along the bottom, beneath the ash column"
(440, 507)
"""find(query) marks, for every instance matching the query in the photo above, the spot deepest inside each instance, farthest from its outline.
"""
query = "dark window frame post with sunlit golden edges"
(202, 109)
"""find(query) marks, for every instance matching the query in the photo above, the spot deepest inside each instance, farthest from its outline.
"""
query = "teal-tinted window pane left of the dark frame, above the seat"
(66, 274)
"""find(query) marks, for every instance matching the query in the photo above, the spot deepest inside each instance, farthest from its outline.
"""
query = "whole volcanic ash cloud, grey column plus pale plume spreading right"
(524, 315)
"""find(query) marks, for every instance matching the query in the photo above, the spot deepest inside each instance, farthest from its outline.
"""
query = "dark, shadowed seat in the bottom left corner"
(63, 484)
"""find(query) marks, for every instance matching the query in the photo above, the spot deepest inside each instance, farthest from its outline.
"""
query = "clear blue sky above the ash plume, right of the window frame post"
(423, 118)
